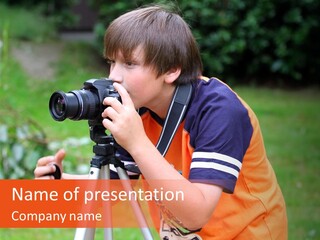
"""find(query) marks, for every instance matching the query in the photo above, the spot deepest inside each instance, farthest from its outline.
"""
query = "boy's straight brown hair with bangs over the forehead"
(165, 37)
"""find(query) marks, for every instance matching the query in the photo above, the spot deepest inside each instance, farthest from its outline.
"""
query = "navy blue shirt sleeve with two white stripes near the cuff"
(220, 132)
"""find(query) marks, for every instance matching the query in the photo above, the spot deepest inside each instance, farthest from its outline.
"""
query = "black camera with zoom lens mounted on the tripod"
(85, 103)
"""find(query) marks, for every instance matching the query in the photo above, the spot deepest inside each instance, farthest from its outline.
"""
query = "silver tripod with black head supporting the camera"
(105, 154)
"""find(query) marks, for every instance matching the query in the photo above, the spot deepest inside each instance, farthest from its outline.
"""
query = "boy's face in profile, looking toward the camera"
(145, 88)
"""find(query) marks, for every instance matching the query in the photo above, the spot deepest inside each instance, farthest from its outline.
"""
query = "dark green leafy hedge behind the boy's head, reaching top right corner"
(244, 40)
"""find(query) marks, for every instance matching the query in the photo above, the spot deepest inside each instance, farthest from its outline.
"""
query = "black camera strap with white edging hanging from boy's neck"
(175, 115)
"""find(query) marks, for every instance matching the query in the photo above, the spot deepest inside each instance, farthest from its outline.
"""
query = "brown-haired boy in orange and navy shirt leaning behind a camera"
(217, 155)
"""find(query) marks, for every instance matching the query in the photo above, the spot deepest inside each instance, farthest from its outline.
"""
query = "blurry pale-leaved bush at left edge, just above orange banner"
(21, 145)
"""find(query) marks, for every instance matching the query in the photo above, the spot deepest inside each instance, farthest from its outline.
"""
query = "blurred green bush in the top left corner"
(37, 19)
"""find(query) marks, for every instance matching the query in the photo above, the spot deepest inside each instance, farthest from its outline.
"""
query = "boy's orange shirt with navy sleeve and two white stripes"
(220, 142)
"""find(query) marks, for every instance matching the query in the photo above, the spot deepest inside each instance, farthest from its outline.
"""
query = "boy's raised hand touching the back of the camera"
(122, 120)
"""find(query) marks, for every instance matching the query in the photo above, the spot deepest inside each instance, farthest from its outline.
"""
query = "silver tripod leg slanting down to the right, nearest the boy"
(135, 205)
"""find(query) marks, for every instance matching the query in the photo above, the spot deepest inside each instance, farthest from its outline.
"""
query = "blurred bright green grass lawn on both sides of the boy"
(290, 121)
